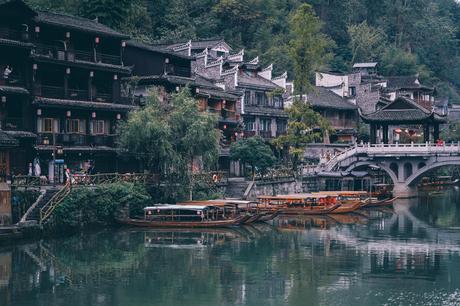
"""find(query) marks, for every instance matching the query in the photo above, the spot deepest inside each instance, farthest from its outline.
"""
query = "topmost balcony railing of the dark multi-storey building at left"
(60, 53)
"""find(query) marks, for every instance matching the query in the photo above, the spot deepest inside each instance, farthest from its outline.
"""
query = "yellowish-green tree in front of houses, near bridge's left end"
(304, 126)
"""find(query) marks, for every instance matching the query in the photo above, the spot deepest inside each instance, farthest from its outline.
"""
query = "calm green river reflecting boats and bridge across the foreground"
(406, 255)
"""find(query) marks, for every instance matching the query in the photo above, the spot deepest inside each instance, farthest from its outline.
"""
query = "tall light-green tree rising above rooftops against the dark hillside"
(308, 47)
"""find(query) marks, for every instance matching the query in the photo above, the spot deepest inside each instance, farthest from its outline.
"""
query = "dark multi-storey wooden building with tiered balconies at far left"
(64, 88)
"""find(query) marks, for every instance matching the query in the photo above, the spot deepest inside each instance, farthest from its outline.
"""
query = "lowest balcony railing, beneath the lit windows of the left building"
(69, 139)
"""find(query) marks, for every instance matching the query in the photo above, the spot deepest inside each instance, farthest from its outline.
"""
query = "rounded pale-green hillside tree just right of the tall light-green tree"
(366, 42)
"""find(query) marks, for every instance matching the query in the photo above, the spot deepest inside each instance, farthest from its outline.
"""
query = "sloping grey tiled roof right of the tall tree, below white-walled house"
(323, 98)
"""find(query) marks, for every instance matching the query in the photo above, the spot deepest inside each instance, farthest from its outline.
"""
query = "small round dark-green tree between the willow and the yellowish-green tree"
(254, 152)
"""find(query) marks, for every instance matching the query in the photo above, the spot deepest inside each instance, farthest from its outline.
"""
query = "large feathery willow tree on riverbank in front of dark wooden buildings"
(167, 137)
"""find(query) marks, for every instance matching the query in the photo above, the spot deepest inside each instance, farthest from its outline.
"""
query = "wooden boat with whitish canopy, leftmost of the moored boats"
(190, 216)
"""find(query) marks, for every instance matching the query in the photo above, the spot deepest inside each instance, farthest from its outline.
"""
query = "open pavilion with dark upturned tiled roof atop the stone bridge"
(403, 120)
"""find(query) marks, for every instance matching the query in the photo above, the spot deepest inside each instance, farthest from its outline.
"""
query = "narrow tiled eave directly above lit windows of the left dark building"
(82, 104)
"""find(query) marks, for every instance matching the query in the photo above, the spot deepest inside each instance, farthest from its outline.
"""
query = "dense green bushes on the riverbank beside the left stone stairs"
(100, 205)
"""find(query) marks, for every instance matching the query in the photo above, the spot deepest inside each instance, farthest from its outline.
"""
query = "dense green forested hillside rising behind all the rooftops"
(418, 36)
